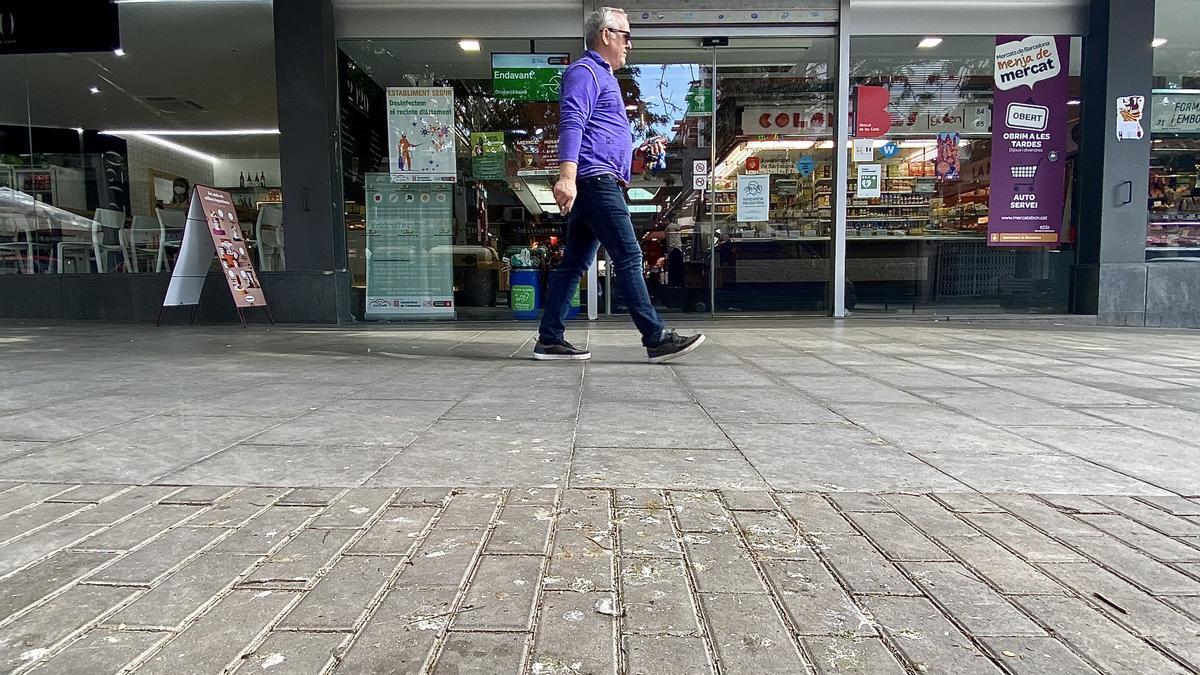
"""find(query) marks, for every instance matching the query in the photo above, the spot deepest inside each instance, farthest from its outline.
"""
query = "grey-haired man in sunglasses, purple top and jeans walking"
(595, 153)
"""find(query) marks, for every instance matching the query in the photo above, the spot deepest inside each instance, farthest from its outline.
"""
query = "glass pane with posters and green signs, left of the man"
(449, 211)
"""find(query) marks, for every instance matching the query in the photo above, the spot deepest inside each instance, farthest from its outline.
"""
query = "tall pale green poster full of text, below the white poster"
(410, 249)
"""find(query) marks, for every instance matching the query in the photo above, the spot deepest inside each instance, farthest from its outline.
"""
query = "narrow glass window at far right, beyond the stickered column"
(1174, 199)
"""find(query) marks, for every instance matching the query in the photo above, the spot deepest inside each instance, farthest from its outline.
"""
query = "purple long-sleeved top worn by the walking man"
(593, 129)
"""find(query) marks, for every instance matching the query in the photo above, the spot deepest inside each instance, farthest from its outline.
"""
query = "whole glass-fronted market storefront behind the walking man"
(802, 157)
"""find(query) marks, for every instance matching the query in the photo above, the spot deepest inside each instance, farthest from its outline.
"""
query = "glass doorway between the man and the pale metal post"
(733, 172)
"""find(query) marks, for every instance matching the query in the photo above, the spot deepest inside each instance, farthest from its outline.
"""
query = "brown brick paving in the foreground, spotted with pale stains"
(401, 589)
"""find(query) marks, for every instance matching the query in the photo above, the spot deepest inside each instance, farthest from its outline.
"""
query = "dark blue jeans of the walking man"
(601, 217)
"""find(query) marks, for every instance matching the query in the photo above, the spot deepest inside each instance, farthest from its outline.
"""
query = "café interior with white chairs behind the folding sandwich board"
(99, 152)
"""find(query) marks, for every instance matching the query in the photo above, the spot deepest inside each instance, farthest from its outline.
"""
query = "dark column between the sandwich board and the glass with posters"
(307, 88)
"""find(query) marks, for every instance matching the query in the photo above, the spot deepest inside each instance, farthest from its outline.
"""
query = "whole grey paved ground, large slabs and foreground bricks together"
(874, 498)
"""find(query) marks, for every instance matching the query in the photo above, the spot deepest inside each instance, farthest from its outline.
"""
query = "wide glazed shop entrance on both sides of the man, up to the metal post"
(731, 195)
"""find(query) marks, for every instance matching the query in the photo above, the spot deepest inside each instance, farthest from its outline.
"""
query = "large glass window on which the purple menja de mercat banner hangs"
(917, 229)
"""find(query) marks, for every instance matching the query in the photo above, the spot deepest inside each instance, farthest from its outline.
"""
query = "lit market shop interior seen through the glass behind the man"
(921, 247)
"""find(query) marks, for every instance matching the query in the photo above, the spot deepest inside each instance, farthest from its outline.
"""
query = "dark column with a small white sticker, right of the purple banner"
(1119, 61)
